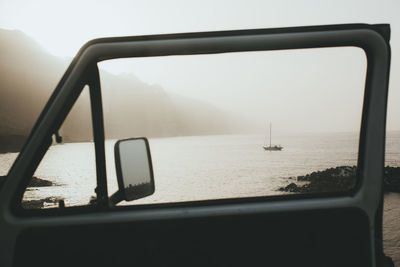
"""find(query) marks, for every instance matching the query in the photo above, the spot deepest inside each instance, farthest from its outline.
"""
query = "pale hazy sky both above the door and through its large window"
(62, 27)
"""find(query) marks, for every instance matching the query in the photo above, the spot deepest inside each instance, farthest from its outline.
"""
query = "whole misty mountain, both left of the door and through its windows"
(28, 75)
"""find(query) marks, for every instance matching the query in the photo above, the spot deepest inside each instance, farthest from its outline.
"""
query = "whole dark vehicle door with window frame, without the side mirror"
(337, 229)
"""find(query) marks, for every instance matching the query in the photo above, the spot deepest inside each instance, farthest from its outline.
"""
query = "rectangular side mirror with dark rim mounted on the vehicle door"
(134, 168)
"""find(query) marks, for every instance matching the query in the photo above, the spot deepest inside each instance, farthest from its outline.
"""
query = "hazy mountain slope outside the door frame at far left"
(27, 77)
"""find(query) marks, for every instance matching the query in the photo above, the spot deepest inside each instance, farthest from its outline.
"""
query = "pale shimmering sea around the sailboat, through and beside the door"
(191, 168)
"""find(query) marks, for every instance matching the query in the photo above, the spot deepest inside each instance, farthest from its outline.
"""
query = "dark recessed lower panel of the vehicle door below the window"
(318, 238)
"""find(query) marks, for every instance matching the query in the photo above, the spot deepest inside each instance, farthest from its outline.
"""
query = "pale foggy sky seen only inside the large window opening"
(308, 90)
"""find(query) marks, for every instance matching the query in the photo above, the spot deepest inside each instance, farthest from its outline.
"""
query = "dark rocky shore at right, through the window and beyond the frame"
(338, 179)
